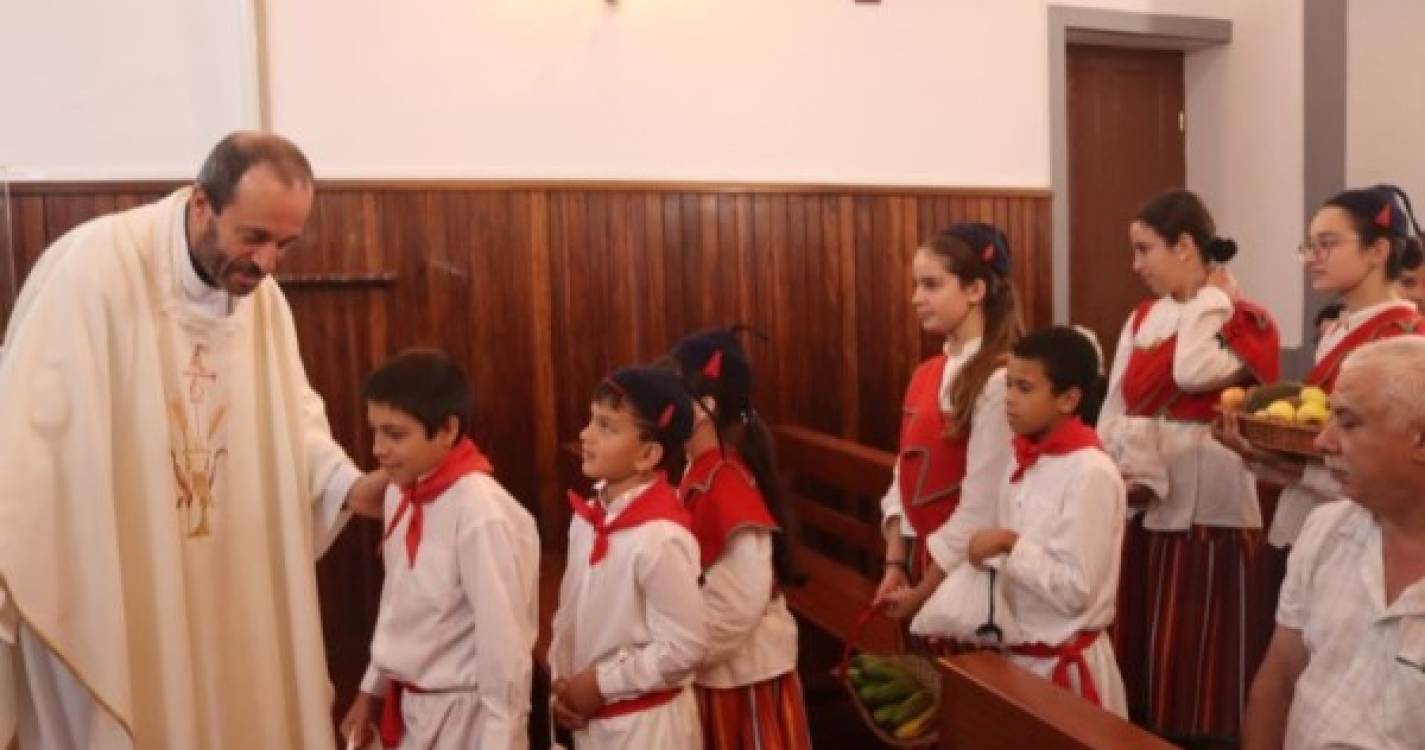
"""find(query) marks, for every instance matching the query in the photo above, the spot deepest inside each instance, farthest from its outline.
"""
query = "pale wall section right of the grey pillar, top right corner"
(1386, 96)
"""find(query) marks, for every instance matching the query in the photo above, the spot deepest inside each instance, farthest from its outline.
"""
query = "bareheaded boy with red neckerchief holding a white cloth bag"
(1059, 524)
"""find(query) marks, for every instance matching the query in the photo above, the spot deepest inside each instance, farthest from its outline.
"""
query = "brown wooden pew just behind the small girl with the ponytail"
(834, 488)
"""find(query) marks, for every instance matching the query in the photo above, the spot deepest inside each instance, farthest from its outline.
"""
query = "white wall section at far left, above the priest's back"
(100, 89)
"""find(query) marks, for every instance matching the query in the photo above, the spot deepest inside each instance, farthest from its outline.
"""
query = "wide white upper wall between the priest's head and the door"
(908, 92)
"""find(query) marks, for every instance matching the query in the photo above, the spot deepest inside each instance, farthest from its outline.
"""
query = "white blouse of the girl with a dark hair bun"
(1208, 484)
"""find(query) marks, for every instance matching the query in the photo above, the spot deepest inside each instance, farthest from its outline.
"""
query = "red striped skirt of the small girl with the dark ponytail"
(763, 716)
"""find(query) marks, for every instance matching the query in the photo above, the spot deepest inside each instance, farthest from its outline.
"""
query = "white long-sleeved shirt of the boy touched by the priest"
(465, 617)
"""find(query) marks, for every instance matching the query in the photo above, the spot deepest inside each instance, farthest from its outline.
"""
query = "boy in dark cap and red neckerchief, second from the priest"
(631, 628)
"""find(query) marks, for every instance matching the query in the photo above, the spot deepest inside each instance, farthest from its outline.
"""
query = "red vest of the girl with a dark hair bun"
(1149, 389)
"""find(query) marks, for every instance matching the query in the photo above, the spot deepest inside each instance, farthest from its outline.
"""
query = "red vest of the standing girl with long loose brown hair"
(931, 464)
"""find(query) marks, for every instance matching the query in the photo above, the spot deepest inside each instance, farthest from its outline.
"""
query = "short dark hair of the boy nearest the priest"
(425, 384)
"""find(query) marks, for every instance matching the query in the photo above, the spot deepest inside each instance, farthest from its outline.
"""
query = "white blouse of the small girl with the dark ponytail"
(752, 635)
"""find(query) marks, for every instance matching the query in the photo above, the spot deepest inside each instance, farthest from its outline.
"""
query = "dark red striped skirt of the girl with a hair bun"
(1195, 617)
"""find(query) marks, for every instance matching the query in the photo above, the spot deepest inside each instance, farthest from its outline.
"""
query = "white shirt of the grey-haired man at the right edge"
(1364, 684)
